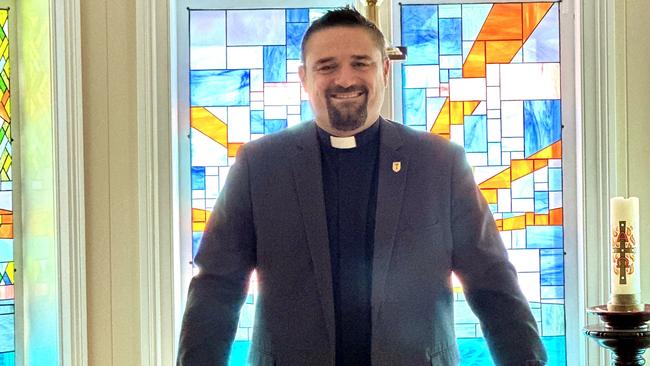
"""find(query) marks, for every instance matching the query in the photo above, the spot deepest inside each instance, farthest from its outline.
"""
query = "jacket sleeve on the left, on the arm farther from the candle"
(225, 258)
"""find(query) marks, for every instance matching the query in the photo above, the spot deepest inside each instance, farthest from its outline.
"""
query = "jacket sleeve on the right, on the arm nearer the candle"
(489, 280)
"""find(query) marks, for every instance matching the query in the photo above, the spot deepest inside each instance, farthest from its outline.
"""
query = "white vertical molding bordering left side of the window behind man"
(155, 166)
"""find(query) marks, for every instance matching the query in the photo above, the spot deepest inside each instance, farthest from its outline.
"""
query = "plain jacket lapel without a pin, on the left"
(307, 173)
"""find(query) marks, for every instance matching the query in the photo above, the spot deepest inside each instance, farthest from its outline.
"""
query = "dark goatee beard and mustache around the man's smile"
(347, 116)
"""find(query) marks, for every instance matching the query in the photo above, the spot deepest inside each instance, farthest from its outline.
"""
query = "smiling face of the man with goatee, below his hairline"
(345, 76)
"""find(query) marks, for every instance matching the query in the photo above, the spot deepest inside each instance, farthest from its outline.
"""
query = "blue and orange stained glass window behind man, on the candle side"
(487, 76)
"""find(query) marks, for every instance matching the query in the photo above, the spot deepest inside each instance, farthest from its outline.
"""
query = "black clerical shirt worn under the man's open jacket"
(350, 190)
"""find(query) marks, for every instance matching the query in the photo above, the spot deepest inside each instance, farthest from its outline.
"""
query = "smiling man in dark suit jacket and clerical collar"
(354, 225)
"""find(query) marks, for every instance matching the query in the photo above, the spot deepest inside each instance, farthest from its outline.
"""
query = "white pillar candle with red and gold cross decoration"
(624, 246)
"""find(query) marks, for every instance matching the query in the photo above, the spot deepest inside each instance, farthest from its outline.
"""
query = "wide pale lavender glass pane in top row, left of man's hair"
(265, 27)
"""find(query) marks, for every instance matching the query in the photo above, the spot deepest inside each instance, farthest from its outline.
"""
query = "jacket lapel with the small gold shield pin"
(392, 169)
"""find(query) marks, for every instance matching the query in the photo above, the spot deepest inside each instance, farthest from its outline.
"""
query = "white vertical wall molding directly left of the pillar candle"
(598, 155)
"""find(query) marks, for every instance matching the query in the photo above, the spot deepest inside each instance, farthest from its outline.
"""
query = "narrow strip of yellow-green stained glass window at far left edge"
(7, 298)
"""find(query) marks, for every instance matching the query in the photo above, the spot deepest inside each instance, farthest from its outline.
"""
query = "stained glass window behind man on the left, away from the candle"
(243, 84)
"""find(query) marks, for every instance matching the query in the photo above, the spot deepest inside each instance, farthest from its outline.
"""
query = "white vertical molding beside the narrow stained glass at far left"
(69, 180)
